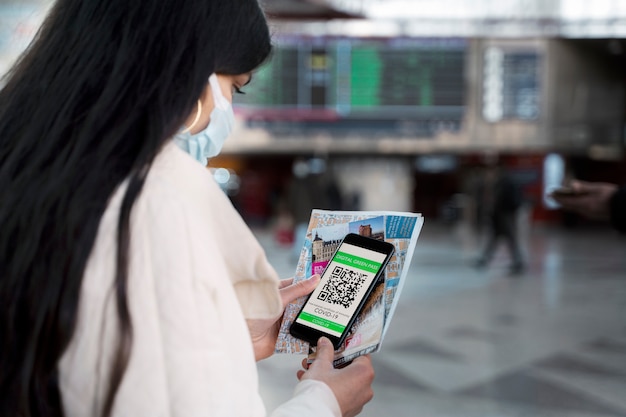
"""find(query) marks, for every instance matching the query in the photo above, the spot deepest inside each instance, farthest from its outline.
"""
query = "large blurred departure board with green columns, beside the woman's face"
(356, 81)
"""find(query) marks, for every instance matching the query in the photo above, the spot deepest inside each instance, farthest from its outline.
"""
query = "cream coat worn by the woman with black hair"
(196, 274)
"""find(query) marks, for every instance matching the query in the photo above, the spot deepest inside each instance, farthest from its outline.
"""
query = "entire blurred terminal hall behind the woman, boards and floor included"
(402, 105)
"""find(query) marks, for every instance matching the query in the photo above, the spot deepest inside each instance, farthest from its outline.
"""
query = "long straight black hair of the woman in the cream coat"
(97, 94)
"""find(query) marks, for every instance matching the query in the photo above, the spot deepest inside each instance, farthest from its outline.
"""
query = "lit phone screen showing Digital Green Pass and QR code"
(346, 281)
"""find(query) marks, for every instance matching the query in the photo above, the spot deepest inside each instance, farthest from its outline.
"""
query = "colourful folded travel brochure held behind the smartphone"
(325, 232)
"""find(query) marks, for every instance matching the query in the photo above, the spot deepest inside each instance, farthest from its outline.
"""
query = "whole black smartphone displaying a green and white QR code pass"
(330, 310)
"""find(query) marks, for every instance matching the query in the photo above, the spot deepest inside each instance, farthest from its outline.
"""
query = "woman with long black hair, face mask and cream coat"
(129, 286)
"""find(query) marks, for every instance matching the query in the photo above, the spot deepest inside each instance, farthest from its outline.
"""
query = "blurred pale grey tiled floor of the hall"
(466, 342)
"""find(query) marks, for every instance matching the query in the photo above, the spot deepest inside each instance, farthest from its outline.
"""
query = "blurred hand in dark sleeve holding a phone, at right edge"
(596, 200)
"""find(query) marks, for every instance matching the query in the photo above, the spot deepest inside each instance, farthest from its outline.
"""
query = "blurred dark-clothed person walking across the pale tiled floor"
(498, 200)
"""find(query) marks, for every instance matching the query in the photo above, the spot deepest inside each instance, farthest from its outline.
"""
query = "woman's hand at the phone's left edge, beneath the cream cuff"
(264, 332)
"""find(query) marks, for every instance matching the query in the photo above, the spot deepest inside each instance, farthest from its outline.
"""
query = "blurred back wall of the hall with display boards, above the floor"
(397, 103)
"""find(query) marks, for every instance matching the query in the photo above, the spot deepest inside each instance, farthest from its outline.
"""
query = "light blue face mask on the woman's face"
(208, 143)
